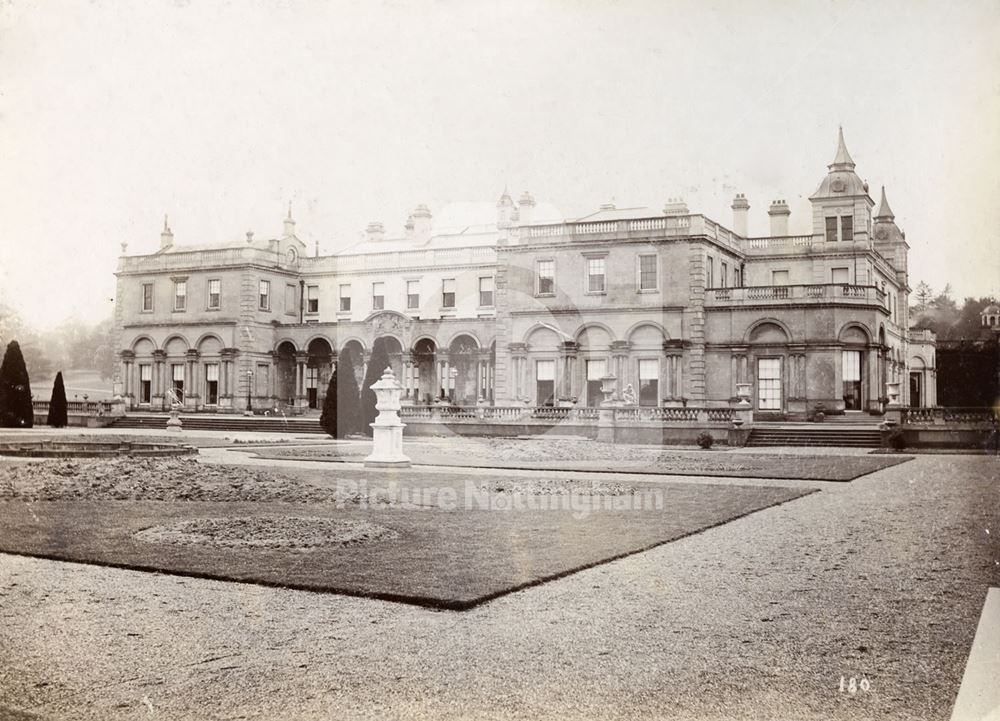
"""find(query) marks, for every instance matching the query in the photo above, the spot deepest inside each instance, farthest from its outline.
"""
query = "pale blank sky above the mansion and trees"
(220, 113)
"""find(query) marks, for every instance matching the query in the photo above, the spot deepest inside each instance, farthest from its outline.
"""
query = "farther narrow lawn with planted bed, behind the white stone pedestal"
(588, 456)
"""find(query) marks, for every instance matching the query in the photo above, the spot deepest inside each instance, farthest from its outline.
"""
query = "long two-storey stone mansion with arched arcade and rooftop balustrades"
(527, 311)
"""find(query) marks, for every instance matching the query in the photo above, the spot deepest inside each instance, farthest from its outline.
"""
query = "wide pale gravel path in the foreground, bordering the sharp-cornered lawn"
(883, 578)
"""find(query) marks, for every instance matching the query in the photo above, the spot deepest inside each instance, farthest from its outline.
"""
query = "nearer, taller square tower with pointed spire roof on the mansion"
(842, 208)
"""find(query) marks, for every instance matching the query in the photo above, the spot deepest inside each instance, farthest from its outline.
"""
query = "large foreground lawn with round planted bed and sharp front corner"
(445, 542)
